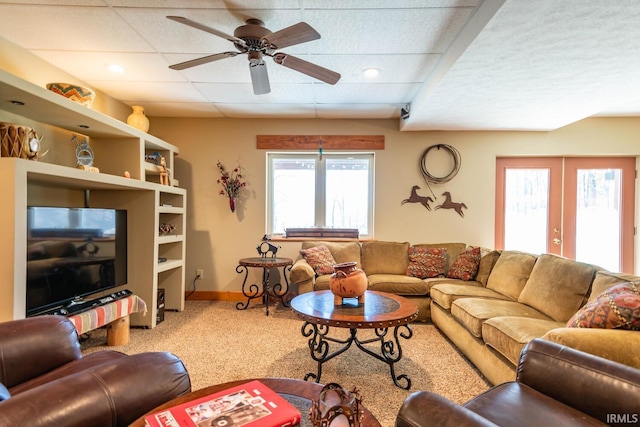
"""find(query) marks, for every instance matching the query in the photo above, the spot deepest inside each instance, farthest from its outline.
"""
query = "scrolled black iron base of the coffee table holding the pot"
(390, 349)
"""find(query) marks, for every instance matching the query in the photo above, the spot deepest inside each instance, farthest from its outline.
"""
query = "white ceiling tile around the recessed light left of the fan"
(94, 65)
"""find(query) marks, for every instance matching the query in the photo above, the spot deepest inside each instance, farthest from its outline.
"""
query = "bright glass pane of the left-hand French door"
(526, 210)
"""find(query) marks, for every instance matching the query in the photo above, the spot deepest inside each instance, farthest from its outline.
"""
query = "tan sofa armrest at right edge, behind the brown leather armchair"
(614, 344)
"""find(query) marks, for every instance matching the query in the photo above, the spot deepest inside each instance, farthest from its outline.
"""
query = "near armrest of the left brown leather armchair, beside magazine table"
(112, 394)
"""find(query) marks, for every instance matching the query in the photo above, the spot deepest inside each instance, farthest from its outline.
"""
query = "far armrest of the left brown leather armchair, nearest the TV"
(23, 343)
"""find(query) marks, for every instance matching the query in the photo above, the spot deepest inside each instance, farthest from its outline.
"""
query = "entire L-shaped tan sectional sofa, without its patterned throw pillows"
(513, 298)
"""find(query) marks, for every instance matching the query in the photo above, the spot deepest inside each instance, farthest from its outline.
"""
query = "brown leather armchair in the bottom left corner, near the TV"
(45, 380)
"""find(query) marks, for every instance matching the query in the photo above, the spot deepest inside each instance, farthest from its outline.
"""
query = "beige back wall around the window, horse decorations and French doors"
(217, 238)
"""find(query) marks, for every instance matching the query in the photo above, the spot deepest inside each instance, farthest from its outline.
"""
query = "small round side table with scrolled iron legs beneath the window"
(265, 291)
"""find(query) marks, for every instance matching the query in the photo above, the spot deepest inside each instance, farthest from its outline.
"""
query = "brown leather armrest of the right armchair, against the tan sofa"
(593, 385)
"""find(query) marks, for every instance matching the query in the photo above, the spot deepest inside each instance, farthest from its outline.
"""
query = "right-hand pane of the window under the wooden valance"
(347, 193)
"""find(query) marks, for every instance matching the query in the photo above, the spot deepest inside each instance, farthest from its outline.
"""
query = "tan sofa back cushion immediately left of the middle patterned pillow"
(385, 257)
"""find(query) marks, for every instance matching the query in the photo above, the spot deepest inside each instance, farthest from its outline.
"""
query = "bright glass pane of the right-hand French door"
(598, 217)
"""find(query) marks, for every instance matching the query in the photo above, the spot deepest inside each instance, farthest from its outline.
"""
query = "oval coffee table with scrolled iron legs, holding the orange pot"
(380, 311)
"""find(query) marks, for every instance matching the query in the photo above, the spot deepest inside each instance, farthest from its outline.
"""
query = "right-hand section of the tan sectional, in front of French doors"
(527, 297)
